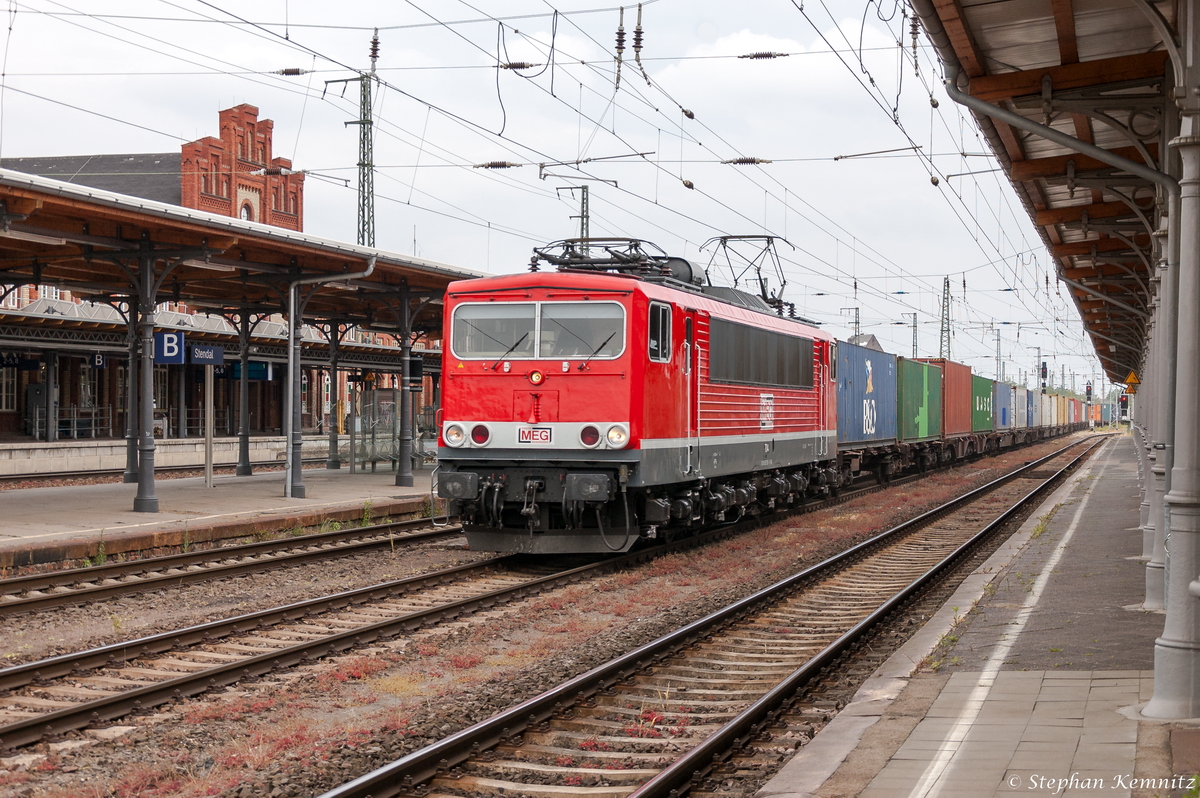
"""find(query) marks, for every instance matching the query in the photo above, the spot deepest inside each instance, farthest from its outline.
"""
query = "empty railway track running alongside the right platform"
(715, 707)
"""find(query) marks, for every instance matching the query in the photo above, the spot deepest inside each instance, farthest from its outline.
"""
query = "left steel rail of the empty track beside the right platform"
(421, 766)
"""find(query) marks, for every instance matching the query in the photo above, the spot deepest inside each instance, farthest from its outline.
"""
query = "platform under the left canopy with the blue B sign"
(50, 525)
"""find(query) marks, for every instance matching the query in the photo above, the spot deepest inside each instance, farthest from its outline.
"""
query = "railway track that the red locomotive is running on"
(50, 698)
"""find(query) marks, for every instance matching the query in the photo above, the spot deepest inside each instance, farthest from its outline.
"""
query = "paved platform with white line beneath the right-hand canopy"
(1029, 681)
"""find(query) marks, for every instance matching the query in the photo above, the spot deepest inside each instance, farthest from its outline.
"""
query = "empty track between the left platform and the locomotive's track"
(154, 573)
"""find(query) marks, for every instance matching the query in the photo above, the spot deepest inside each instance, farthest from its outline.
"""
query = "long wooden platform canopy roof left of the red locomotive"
(91, 242)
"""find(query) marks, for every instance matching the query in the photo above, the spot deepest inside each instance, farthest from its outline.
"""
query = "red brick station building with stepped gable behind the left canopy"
(232, 175)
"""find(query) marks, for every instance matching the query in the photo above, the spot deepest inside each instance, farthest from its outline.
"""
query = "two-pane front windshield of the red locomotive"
(543, 331)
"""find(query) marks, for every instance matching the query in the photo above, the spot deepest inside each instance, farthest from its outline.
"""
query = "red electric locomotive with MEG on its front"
(620, 399)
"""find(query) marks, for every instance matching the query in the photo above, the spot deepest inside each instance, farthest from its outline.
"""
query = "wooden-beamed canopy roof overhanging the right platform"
(1096, 71)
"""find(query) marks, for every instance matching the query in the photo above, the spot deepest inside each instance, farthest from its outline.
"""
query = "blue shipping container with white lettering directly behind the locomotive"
(867, 397)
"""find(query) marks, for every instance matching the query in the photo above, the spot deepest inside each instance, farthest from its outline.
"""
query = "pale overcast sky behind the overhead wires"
(871, 232)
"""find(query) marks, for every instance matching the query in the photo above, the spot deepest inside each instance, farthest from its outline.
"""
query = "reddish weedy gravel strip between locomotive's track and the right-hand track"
(375, 706)
